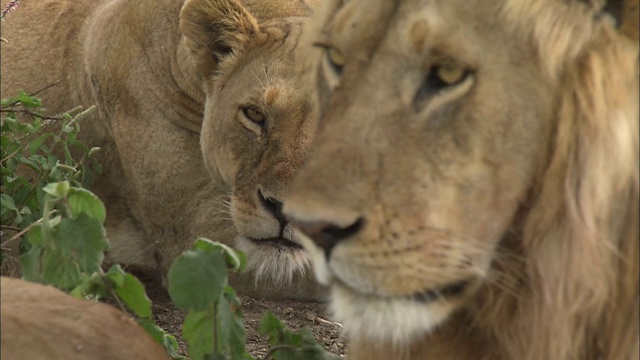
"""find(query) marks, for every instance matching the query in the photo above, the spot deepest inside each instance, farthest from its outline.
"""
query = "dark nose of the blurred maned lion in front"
(327, 235)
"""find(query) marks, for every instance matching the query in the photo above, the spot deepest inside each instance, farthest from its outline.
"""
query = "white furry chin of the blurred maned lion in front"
(397, 320)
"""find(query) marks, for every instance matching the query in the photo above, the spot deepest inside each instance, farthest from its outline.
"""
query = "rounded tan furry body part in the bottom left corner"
(41, 322)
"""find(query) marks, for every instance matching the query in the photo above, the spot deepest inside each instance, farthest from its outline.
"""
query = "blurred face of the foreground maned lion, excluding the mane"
(432, 116)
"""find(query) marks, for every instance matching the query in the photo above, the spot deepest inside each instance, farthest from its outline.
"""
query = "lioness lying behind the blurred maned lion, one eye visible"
(200, 120)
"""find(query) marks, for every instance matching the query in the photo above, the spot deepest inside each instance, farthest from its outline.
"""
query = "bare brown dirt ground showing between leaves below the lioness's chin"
(294, 314)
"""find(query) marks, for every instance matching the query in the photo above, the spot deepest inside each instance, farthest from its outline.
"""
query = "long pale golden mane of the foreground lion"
(579, 237)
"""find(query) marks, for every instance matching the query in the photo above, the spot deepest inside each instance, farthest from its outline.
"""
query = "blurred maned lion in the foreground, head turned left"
(472, 188)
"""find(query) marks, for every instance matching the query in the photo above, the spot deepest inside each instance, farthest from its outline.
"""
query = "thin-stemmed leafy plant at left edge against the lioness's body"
(30, 146)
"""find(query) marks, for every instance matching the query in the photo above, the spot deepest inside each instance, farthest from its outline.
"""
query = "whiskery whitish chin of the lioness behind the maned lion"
(274, 260)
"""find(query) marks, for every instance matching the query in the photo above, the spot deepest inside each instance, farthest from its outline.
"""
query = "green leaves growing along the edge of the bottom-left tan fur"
(67, 251)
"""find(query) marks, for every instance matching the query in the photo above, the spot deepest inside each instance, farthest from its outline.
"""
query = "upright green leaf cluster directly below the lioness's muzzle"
(213, 327)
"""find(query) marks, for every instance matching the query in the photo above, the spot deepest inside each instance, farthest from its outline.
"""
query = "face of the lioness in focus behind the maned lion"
(256, 130)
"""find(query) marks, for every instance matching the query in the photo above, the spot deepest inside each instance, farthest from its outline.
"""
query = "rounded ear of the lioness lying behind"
(215, 29)
